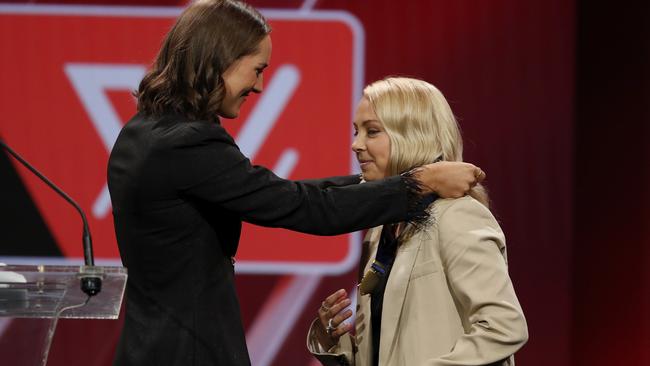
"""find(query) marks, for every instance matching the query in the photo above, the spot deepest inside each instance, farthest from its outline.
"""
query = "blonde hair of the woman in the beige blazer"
(420, 125)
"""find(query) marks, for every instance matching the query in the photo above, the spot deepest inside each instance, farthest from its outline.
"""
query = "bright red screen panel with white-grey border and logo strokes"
(66, 91)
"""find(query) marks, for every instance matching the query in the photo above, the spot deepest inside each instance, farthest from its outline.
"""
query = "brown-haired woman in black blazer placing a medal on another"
(180, 189)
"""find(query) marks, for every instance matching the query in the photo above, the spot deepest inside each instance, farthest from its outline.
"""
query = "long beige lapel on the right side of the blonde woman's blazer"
(395, 295)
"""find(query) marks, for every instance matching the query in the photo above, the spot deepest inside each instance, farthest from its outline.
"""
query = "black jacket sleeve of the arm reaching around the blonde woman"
(208, 166)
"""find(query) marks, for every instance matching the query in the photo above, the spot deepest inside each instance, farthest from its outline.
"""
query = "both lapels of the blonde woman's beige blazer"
(396, 287)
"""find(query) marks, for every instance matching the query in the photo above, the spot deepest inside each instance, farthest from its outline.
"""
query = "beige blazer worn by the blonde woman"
(448, 300)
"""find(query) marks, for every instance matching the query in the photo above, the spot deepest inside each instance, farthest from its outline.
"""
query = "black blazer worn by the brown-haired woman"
(180, 190)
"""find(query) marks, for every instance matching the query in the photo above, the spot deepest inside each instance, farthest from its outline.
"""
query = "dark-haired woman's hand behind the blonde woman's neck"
(448, 179)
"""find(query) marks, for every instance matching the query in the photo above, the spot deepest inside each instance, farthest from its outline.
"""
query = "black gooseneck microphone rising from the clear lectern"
(91, 285)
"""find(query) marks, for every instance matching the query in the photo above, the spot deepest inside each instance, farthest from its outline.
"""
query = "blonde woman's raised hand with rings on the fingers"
(329, 326)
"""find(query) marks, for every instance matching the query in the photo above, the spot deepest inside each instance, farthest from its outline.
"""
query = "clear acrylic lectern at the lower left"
(44, 294)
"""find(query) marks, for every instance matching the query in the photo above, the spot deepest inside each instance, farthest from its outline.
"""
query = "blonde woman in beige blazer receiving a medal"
(434, 294)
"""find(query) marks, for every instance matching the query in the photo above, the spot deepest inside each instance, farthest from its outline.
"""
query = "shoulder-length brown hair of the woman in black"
(186, 77)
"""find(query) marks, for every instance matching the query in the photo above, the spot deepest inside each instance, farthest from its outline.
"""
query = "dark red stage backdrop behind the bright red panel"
(544, 131)
